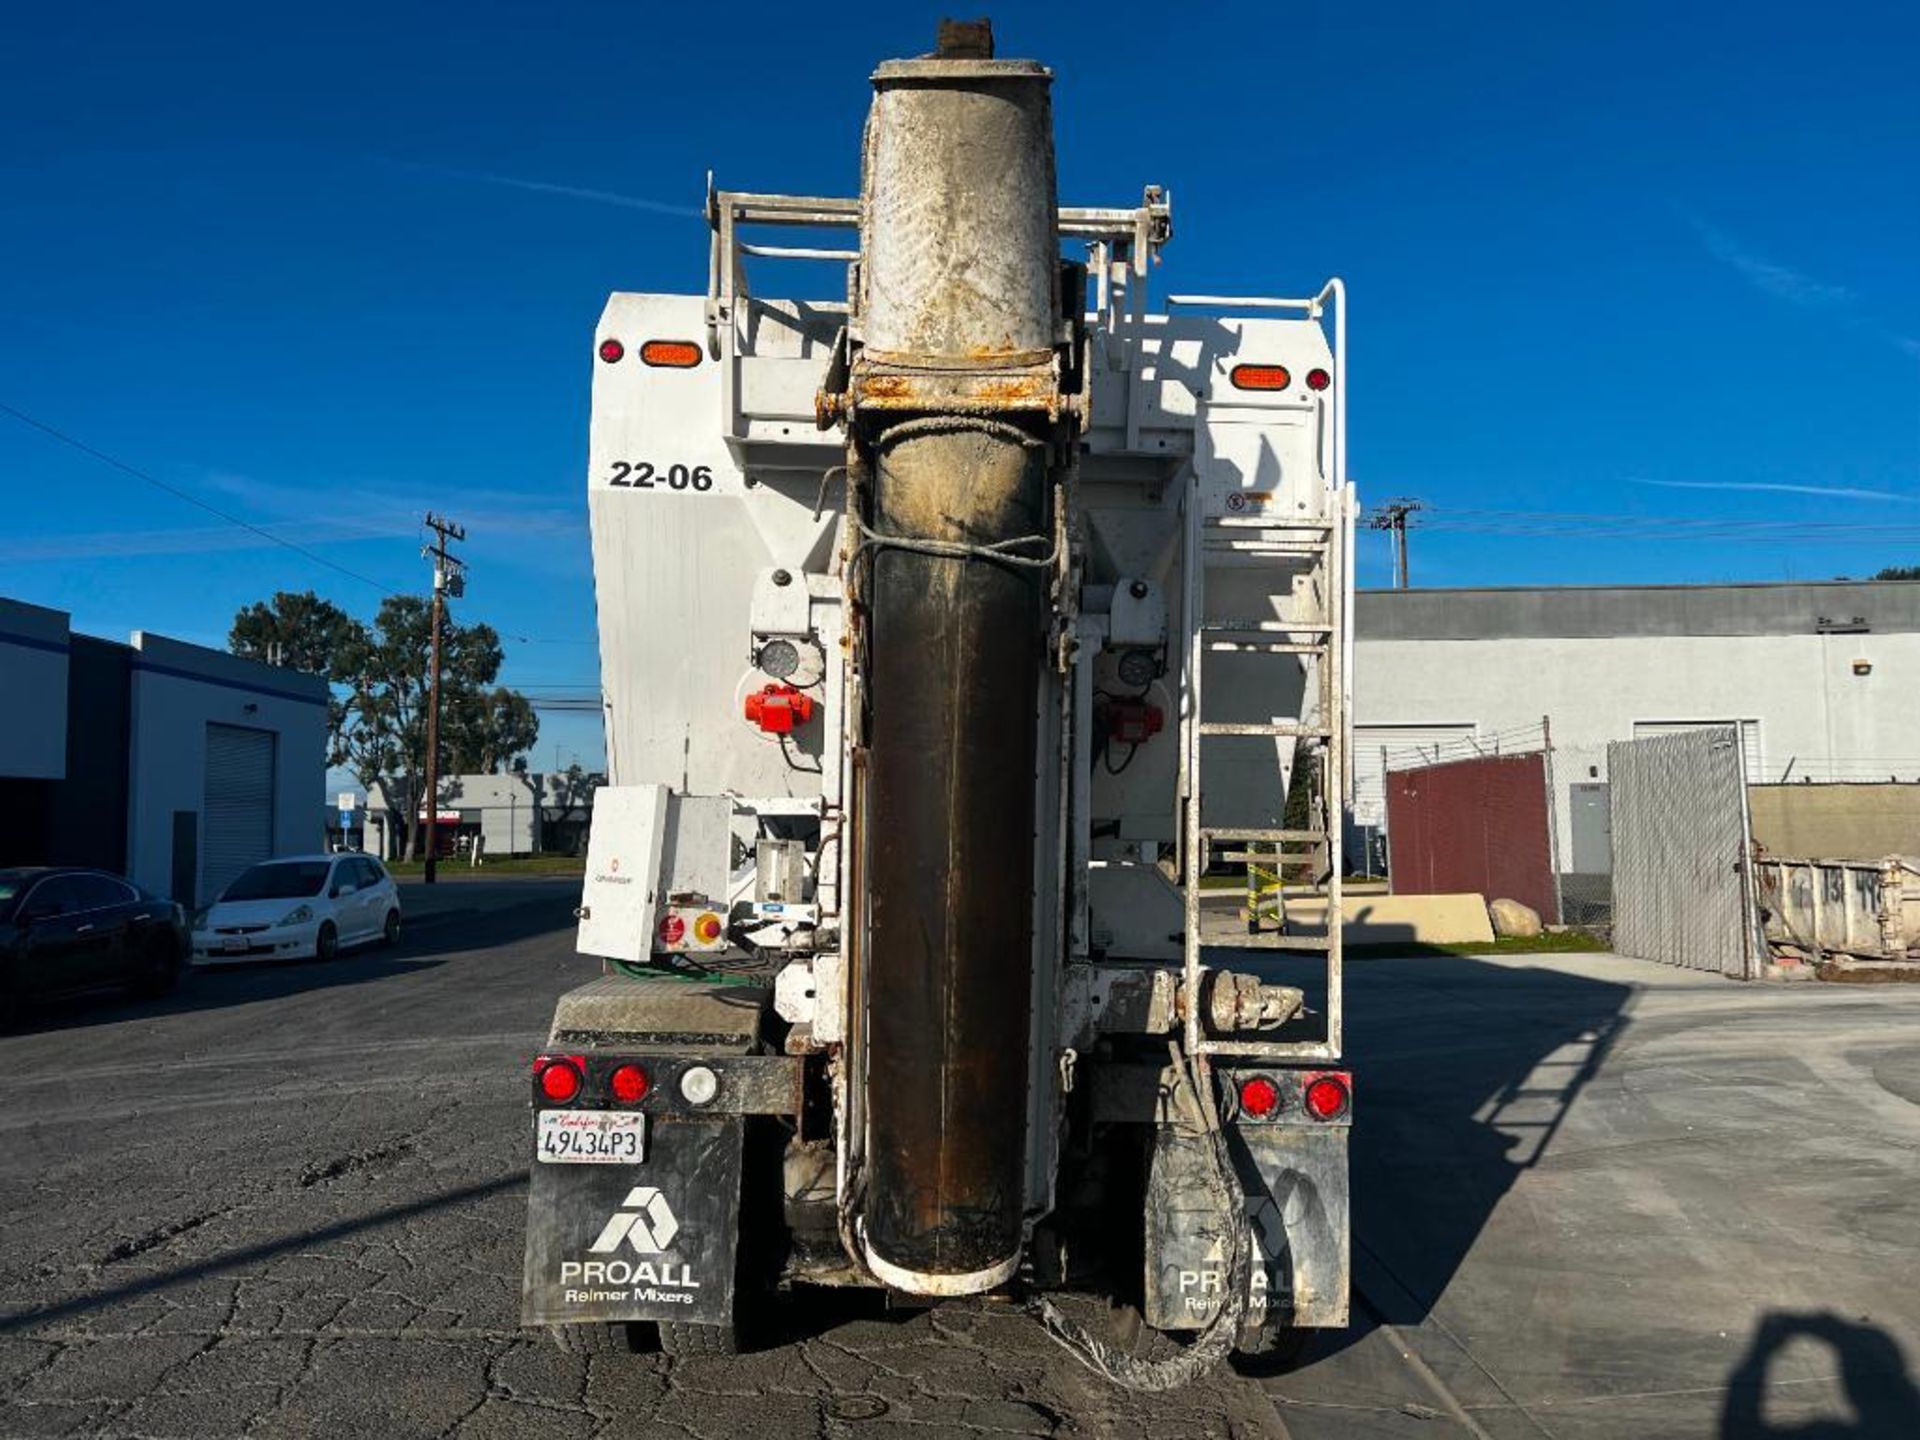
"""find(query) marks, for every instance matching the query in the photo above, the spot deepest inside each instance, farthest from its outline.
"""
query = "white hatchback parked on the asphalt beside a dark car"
(308, 905)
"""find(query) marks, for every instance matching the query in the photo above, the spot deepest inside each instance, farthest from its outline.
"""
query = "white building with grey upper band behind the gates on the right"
(1821, 679)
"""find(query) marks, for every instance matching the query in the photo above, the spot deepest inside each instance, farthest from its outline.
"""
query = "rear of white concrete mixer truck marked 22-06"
(951, 636)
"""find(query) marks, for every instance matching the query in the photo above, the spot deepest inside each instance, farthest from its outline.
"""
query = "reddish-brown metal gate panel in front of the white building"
(1474, 828)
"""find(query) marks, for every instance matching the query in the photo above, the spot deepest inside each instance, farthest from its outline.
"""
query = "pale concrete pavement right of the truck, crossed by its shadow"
(1598, 1197)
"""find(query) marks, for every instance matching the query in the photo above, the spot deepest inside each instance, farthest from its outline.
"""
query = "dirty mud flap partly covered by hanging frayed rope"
(1297, 1209)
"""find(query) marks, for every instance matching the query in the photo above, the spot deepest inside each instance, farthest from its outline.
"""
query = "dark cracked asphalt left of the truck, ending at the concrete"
(289, 1203)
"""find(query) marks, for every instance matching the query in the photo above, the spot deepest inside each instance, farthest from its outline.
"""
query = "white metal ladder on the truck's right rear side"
(1312, 546)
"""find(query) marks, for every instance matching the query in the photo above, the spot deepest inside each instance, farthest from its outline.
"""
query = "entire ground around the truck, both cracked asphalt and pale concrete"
(1595, 1199)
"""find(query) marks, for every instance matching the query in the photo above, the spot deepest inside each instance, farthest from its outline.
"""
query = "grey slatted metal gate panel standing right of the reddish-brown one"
(1683, 888)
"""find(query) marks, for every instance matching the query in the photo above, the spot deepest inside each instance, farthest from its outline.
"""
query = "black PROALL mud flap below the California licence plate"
(638, 1243)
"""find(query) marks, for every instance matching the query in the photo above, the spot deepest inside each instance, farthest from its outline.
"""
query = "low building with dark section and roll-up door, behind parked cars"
(170, 763)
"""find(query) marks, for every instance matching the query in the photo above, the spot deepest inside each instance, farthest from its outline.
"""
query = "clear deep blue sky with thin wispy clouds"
(329, 268)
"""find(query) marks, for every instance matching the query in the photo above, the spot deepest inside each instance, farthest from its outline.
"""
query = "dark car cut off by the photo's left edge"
(80, 930)
